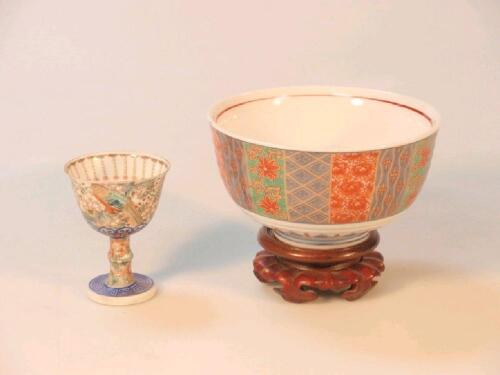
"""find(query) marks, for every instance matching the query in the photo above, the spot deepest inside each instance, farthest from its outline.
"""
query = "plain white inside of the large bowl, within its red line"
(324, 122)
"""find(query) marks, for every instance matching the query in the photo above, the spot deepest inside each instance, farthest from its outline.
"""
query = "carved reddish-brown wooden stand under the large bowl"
(303, 274)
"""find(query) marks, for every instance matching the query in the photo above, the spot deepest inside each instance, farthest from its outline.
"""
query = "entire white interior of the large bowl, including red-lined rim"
(325, 119)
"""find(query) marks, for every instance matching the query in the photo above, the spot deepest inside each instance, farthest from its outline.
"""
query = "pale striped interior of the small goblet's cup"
(116, 168)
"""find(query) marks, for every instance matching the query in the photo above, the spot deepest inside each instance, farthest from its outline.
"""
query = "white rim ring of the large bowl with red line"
(407, 102)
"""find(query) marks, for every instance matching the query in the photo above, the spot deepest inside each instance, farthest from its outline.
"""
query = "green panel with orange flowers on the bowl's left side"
(267, 183)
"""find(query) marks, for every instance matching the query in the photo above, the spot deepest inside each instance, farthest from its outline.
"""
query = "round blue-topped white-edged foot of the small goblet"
(141, 290)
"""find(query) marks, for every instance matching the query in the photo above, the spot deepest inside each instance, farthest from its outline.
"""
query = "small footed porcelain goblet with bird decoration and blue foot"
(118, 194)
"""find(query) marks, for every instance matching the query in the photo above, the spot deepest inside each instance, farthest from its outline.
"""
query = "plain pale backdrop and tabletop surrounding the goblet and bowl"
(84, 76)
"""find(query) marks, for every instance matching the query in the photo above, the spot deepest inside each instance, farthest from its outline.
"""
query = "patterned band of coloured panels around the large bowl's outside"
(321, 187)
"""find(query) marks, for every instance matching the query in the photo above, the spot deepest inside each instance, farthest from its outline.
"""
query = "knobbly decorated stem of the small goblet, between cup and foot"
(120, 259)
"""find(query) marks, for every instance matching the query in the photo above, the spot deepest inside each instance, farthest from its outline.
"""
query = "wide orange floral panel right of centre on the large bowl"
(353, 176)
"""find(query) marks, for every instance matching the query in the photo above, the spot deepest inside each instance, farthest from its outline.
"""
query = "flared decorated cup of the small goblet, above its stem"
(117, 193)
